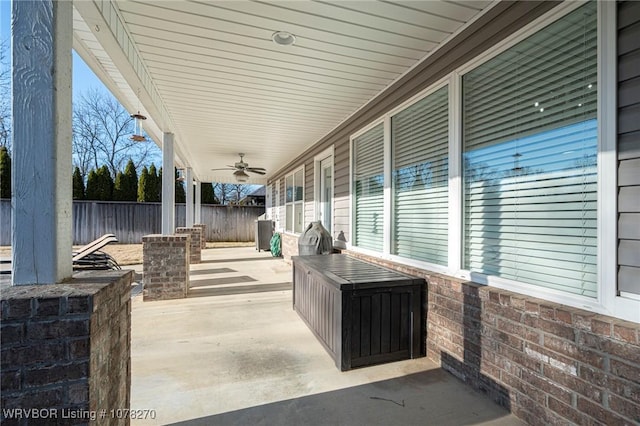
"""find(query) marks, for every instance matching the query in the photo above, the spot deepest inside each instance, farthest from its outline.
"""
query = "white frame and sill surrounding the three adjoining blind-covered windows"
(607, 302)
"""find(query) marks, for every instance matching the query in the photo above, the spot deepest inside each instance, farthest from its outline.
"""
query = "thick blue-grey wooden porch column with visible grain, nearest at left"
(41, 174)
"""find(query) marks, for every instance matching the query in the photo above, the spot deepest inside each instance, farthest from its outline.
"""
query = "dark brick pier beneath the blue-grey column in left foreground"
(66, 348)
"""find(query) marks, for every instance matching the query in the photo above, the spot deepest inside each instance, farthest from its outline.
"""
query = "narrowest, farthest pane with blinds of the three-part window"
(368, 181)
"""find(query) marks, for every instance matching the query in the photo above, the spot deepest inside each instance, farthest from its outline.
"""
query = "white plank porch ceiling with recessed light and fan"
(210, 73)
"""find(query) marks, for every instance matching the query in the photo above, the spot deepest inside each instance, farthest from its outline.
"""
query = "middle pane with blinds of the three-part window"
(419, 136)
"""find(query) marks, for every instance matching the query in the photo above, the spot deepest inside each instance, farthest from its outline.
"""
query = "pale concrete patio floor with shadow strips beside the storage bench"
(235, 353)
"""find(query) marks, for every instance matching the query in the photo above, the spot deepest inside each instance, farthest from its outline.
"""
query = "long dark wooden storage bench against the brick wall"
(362, 314)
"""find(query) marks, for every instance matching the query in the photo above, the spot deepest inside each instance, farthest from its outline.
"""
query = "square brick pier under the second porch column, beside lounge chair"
(165, 263)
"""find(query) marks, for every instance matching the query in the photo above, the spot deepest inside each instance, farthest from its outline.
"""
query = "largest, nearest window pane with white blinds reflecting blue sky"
(530, 149)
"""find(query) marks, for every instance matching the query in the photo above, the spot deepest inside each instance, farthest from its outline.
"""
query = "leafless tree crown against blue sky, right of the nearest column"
(101, 135)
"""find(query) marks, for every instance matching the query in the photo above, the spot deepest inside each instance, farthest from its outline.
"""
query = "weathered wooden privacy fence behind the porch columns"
(130, 221)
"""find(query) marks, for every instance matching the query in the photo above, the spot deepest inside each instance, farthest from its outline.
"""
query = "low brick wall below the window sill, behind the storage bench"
(546, 362)
